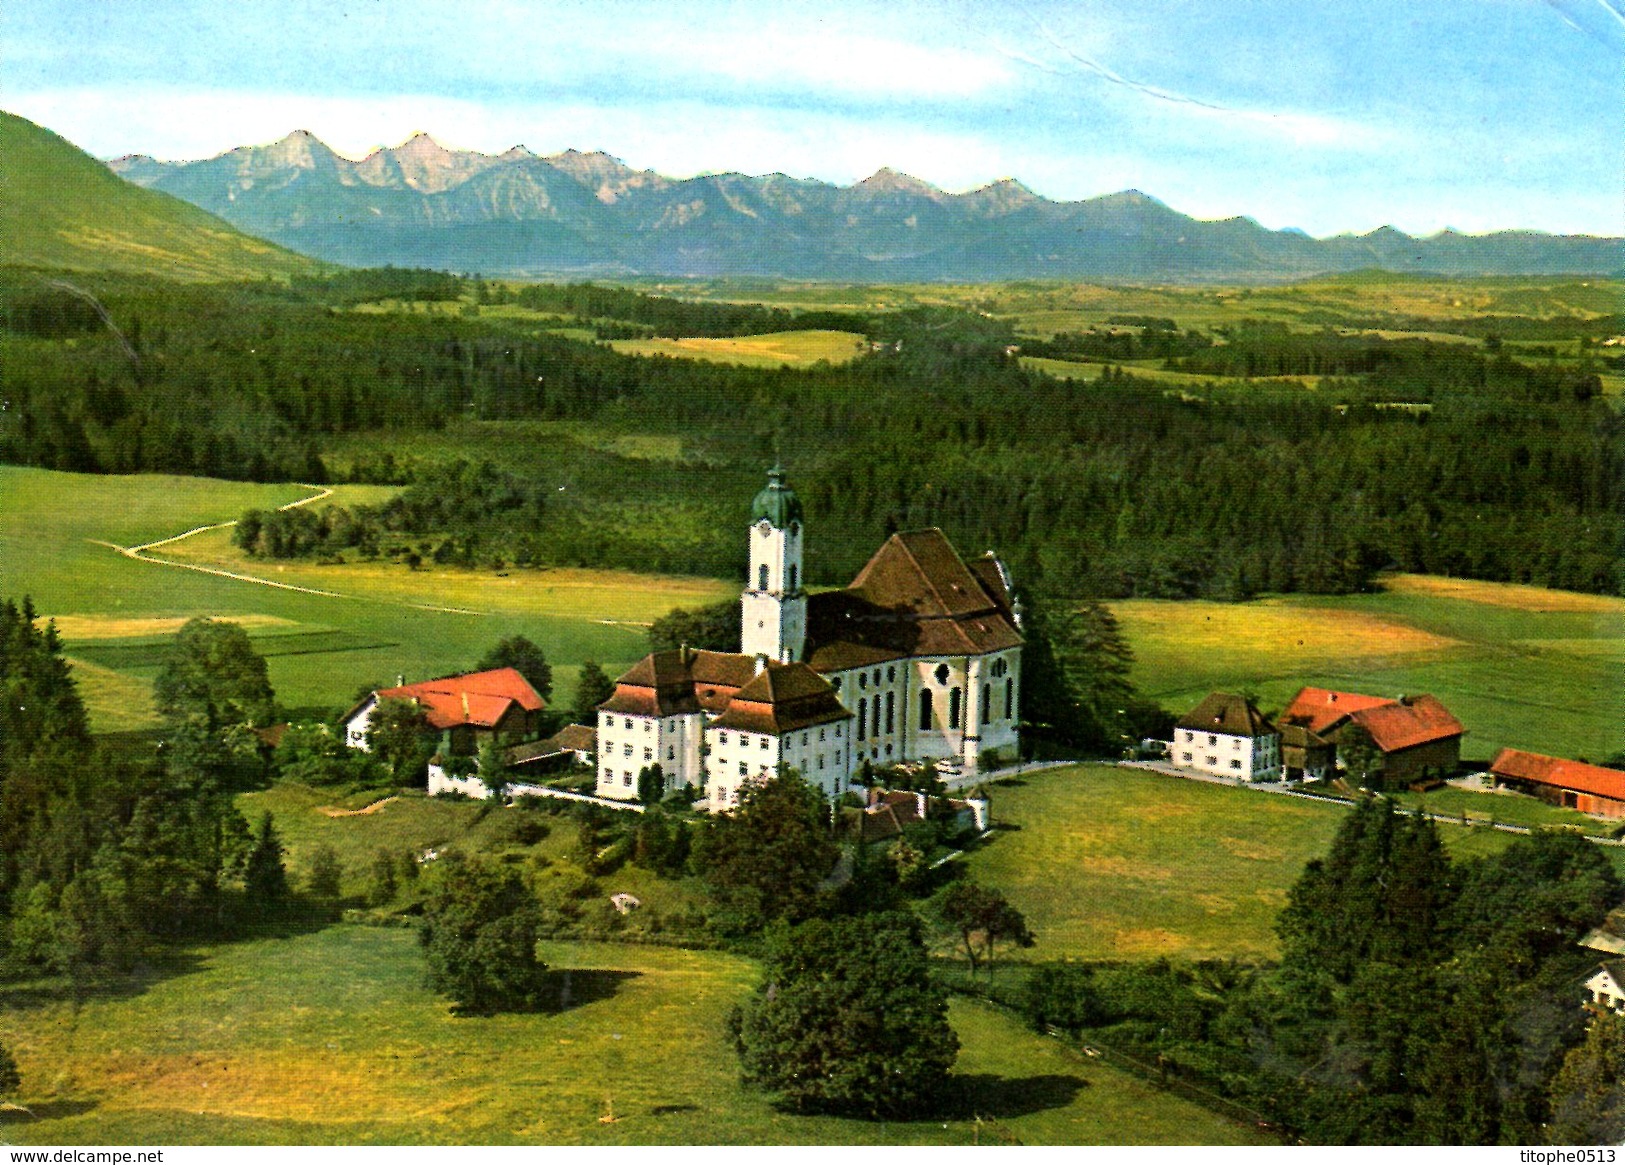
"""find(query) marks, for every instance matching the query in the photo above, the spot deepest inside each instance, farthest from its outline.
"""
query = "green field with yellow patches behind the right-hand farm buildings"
(1522, 667)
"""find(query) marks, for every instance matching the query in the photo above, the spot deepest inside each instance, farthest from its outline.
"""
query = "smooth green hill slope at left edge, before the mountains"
(59, 207)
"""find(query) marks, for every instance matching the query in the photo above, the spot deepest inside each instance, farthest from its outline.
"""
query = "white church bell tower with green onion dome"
(776, 608)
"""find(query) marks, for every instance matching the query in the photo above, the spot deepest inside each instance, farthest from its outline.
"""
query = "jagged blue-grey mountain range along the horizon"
(516, 214)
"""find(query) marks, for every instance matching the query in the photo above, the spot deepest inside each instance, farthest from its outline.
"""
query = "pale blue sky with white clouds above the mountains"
(1328, 116)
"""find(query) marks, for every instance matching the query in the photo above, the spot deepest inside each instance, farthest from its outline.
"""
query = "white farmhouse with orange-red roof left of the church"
(466, 711)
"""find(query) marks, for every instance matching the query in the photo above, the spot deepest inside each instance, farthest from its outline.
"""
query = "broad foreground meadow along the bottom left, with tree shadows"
(332, 1039)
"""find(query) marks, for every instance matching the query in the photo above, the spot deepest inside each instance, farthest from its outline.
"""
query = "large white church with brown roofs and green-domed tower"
(917, 660)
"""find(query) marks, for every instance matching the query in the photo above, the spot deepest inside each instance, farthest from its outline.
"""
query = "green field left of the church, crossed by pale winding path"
(375, 623)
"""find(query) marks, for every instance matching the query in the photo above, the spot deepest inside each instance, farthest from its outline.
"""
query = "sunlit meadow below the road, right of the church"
(1125, 864)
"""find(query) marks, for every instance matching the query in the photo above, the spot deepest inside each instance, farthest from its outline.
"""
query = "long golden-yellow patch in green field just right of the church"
(1281, 630)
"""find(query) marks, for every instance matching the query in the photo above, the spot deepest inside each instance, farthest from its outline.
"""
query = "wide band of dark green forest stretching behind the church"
(1411, 454)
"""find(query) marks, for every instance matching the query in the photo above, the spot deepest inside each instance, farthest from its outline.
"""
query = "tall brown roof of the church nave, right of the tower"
(916, 597)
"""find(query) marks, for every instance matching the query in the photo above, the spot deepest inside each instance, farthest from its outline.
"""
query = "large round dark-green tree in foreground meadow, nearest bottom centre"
(849, 1020)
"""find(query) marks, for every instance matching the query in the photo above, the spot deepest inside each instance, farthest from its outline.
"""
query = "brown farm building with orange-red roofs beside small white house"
(1413, 734)
